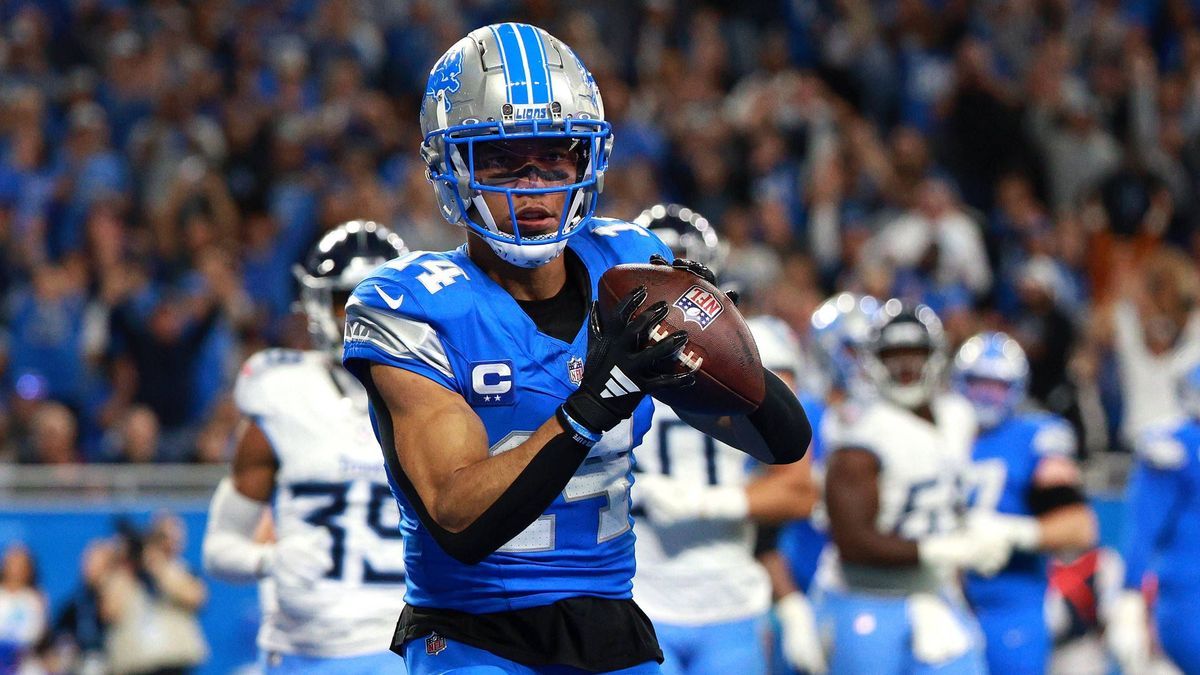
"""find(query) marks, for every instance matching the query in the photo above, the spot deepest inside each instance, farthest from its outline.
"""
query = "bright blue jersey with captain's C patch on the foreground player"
(440, 316)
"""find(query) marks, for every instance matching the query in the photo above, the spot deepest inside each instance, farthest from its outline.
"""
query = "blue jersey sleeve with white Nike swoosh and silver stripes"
(387, 324)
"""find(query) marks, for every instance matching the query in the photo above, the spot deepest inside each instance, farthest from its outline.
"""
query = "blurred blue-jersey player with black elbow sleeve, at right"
(1024, 479)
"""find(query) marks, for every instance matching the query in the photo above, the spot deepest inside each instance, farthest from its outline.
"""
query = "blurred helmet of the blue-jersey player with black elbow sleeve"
(993, 373)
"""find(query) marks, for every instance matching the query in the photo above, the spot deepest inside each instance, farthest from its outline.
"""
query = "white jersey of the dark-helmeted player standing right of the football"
(921, 481)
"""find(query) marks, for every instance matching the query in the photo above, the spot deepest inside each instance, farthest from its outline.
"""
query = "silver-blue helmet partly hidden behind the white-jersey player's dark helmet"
(839, 328)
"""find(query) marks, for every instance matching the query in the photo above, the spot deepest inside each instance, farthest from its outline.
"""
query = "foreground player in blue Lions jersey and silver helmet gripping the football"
(508, 416)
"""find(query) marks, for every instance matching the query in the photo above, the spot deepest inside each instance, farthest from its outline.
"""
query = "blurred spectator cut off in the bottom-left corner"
(23, 611)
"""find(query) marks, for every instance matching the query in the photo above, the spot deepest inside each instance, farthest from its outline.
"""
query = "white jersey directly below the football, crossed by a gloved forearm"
(700, 572)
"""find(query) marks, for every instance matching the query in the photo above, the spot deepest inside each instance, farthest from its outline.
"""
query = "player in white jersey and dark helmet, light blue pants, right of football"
(895, 503)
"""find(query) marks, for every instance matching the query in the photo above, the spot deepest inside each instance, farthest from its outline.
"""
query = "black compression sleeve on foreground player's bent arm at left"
(520, 505)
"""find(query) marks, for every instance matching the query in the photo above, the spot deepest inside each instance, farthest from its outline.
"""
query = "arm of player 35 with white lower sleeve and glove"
(239, 505)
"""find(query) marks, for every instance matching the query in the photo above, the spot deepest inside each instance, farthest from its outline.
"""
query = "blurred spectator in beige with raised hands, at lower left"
(151, 602)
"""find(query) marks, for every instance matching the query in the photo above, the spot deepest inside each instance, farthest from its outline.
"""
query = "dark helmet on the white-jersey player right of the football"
(907, 380)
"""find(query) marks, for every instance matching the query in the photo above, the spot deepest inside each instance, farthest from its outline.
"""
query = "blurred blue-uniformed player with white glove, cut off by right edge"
(1163, 536)
